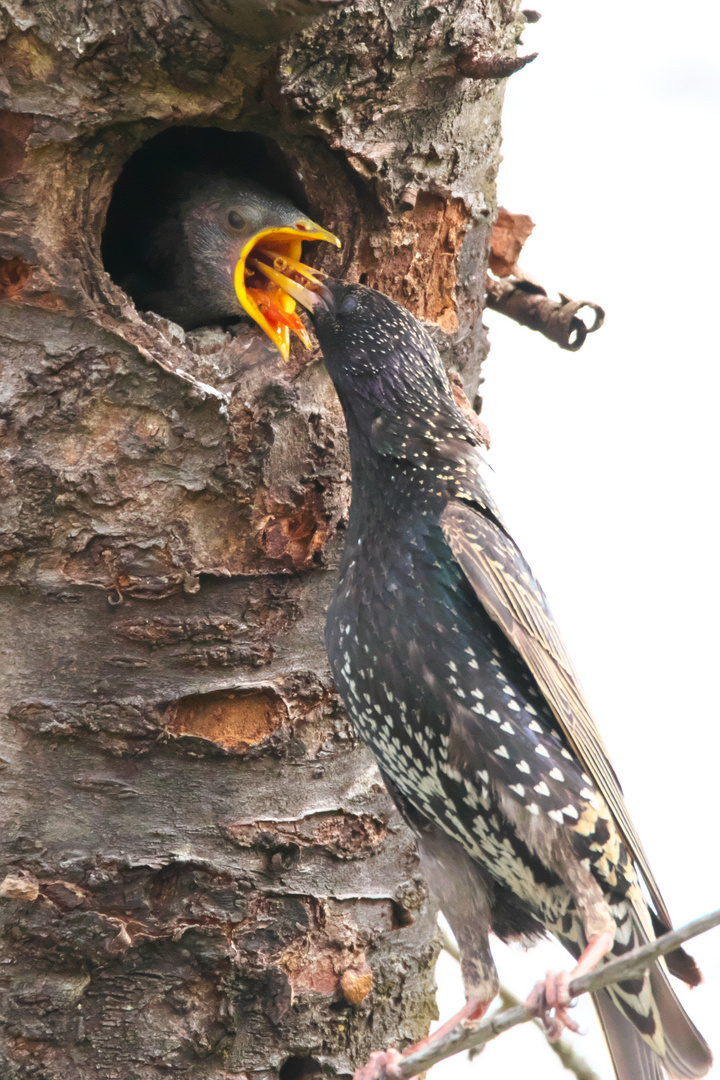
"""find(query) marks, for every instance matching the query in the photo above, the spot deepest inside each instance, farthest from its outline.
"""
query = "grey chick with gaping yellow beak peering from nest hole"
(196, 259)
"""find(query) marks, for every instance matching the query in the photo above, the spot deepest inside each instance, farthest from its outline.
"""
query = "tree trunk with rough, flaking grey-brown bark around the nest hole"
(201, 872)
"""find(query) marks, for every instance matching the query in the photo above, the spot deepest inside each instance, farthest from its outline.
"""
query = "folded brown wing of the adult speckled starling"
(509, 592)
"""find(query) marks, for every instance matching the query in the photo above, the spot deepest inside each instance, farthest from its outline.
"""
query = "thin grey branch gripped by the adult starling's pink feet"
(467, 1036)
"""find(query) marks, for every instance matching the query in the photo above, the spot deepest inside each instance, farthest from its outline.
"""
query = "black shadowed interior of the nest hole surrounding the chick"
(154, 178)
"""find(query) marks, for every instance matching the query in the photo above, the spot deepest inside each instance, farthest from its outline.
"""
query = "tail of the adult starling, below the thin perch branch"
(648, 1032)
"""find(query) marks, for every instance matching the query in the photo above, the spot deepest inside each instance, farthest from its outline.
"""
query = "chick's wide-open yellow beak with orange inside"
(263, 285)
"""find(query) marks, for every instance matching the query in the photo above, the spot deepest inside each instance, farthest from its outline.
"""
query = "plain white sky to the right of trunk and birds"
(607, 460)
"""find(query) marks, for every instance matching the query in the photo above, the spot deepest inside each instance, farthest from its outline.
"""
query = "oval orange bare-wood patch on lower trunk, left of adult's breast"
(235, 720)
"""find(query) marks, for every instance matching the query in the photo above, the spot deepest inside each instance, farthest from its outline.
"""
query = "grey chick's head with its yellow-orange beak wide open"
(230, 226)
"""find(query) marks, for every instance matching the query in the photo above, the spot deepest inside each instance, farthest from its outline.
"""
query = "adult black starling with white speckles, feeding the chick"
(450, 663)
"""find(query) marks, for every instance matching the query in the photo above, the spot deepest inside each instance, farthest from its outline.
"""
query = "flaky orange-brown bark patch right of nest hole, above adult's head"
(420, 266)
